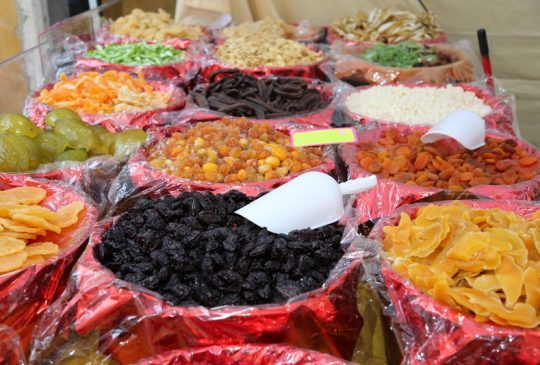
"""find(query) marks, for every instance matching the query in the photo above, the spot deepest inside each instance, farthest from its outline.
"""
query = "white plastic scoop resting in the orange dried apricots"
(464, 126)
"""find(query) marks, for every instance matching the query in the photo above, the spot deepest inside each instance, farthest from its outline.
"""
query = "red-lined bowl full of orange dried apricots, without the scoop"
(410, 170)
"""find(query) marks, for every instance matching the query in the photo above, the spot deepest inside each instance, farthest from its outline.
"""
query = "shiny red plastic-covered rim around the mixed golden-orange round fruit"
(139, 175)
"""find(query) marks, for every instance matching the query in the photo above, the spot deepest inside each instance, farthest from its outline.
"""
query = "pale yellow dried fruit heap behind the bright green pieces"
(150, 26)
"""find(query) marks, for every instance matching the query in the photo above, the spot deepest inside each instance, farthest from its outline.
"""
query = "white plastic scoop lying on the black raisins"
(312, 200)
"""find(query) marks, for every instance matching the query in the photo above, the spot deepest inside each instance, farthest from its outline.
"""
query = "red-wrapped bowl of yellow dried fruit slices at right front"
(468, 268)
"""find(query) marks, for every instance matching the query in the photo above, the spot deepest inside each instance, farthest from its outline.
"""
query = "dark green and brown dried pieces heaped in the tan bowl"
(404, 55)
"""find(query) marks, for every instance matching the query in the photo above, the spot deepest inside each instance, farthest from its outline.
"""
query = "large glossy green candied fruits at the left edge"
(24, 146)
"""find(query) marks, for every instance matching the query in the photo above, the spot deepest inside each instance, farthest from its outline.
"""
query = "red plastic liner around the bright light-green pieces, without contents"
(178, 73)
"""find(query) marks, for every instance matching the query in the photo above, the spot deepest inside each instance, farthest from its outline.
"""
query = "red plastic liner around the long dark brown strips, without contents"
(319, 118)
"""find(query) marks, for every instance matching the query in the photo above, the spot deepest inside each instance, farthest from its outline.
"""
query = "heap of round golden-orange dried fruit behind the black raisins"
(231, 151)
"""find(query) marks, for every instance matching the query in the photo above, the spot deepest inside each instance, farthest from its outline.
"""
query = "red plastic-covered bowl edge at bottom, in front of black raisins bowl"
(244, 355)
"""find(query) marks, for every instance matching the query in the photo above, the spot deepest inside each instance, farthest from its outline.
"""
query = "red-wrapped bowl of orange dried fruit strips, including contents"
(115, 99)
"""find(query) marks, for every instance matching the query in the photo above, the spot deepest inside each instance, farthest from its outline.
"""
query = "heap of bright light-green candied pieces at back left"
(137, 54)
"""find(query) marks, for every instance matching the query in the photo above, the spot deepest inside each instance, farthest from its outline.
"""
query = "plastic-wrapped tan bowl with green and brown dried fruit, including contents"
(406, 62)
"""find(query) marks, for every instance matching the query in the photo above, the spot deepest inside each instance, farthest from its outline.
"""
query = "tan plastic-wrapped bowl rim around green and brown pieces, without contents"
(351, 67)
